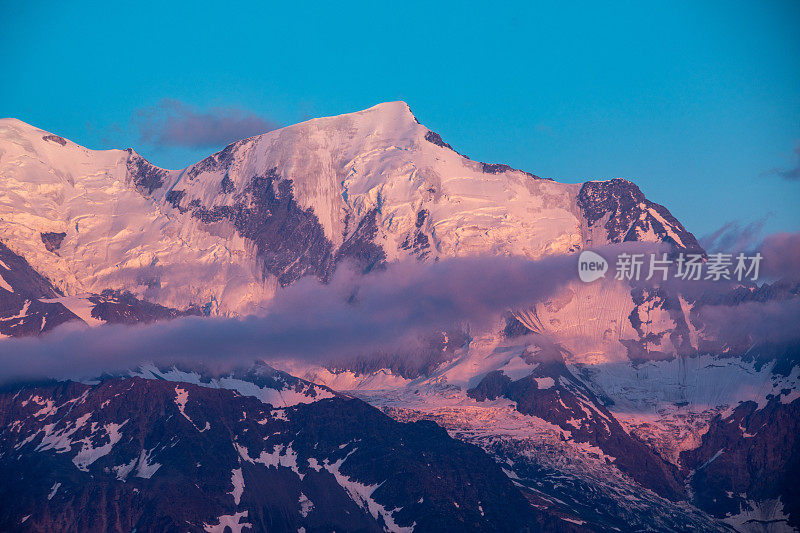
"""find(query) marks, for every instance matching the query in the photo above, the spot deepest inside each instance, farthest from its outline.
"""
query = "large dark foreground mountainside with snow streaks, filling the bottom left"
(145, 455)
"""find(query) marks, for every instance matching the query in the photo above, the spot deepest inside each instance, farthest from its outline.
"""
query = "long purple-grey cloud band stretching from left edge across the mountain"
(388, 312)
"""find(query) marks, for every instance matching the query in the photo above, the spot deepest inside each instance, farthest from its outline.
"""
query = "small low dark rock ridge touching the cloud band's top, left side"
(122, 307)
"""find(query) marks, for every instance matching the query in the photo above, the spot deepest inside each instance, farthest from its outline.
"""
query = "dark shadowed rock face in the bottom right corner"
(752, 454)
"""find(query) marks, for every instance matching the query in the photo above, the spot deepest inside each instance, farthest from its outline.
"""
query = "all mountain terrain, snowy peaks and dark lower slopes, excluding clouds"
(604, 407)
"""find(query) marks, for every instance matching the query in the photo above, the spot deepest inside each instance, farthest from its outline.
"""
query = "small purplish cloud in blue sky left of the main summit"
(174, 123)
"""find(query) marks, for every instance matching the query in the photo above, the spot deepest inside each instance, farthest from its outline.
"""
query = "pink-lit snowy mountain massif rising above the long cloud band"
(371, 186)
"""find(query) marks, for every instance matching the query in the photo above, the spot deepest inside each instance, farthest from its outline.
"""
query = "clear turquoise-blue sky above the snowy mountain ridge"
(697, 101)
